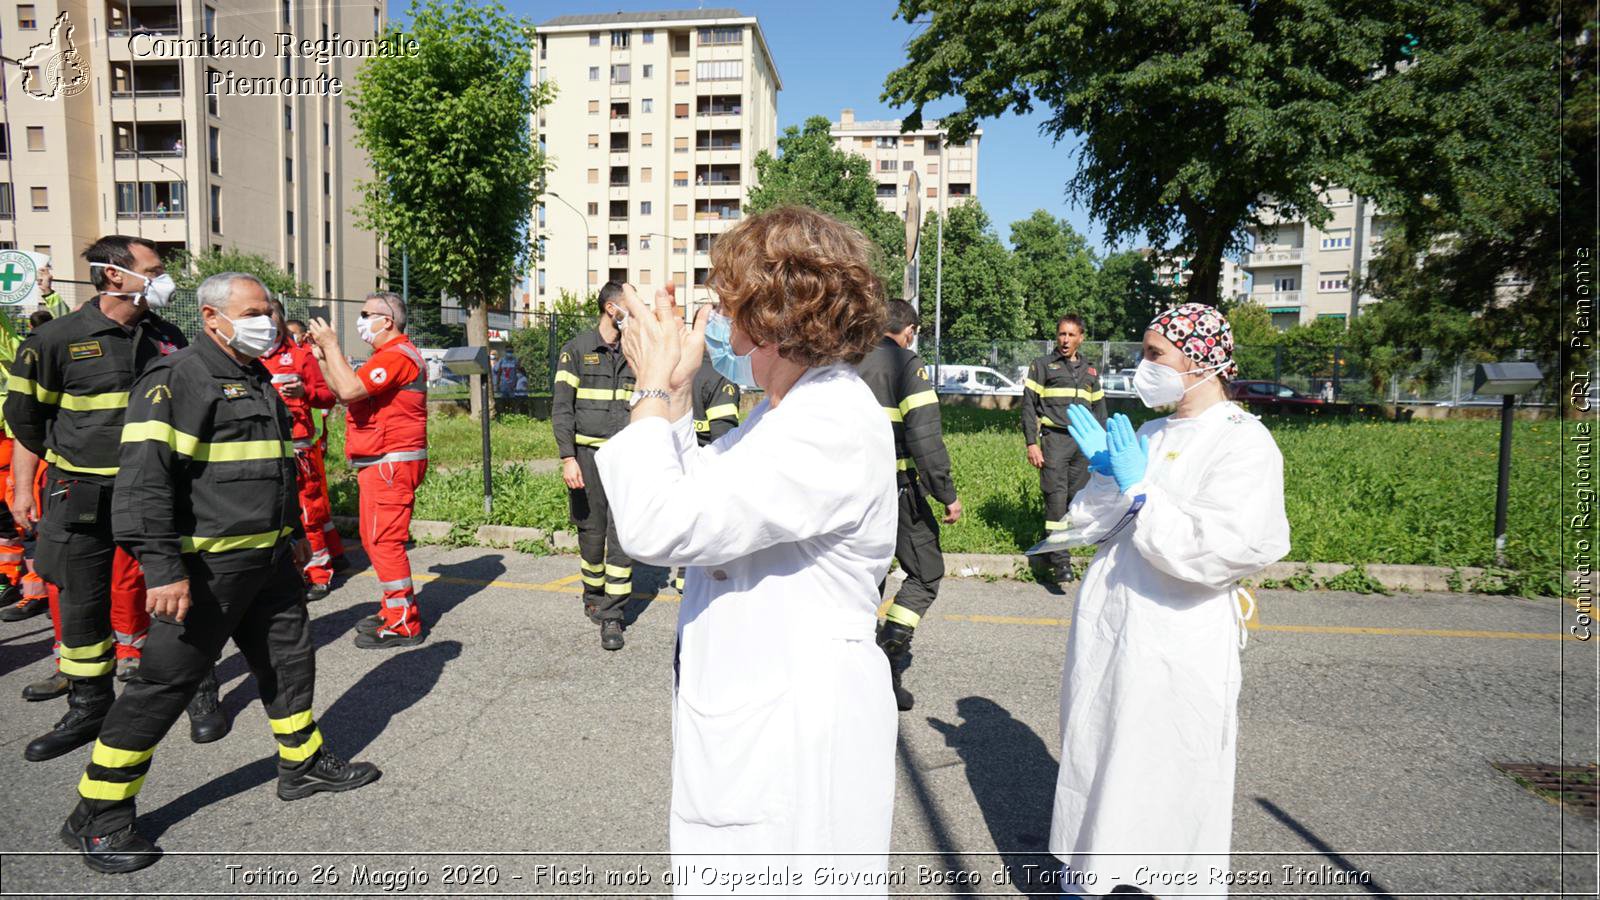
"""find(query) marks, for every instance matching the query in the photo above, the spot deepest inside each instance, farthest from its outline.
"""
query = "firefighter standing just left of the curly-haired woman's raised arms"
(591, 404)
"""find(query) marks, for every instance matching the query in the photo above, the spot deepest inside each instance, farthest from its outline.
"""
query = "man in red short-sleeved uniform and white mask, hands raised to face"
(386, 441)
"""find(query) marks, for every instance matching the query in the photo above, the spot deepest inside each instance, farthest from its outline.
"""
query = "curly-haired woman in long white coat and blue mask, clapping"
(785, 721)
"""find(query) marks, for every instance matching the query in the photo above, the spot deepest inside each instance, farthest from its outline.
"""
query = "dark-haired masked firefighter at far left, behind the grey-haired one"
(68, 395)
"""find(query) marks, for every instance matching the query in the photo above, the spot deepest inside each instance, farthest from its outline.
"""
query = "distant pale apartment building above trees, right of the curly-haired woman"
(948, 172)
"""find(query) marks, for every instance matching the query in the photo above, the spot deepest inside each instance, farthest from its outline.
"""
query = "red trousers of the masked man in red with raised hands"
(388, 496)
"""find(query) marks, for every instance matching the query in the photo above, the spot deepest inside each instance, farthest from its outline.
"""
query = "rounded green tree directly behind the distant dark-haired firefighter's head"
(1057, 273)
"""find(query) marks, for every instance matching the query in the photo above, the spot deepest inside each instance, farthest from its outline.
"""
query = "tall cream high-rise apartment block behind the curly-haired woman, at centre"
(652, 137)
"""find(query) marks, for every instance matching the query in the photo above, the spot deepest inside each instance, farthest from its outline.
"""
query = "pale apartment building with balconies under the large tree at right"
(1302, 273)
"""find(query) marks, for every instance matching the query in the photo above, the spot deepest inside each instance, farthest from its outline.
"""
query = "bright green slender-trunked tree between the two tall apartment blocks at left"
(452, 153)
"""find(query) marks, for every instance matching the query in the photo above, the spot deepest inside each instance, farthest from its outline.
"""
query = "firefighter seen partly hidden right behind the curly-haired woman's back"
(900, 382)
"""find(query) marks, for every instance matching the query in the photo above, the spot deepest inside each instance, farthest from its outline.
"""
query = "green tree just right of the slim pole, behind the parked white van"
(982, 299)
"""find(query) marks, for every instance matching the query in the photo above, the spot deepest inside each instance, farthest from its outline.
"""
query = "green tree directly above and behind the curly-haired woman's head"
(812, 172)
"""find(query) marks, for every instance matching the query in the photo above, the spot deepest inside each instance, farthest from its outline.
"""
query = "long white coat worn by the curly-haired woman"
(785, 723)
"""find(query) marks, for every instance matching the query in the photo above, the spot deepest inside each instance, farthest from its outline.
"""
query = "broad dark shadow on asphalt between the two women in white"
(1014, 779)
